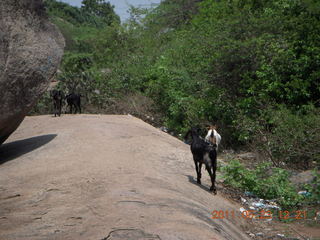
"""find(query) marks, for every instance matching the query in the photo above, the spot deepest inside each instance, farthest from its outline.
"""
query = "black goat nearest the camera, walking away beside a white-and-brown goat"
(203, 153)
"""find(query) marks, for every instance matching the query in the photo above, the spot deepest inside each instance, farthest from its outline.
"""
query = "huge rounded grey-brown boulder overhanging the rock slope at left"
(30, 51)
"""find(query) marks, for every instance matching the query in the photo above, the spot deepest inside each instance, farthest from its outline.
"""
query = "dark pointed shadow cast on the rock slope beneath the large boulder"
(12, 150)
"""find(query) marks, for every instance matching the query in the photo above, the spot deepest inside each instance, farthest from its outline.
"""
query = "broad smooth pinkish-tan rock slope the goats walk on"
(104, 177)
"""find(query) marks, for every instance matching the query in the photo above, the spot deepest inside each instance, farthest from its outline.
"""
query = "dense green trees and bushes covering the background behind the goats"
(252, 67)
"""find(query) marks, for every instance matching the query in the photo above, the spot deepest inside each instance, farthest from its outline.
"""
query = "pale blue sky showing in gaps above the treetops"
(121, 6)
